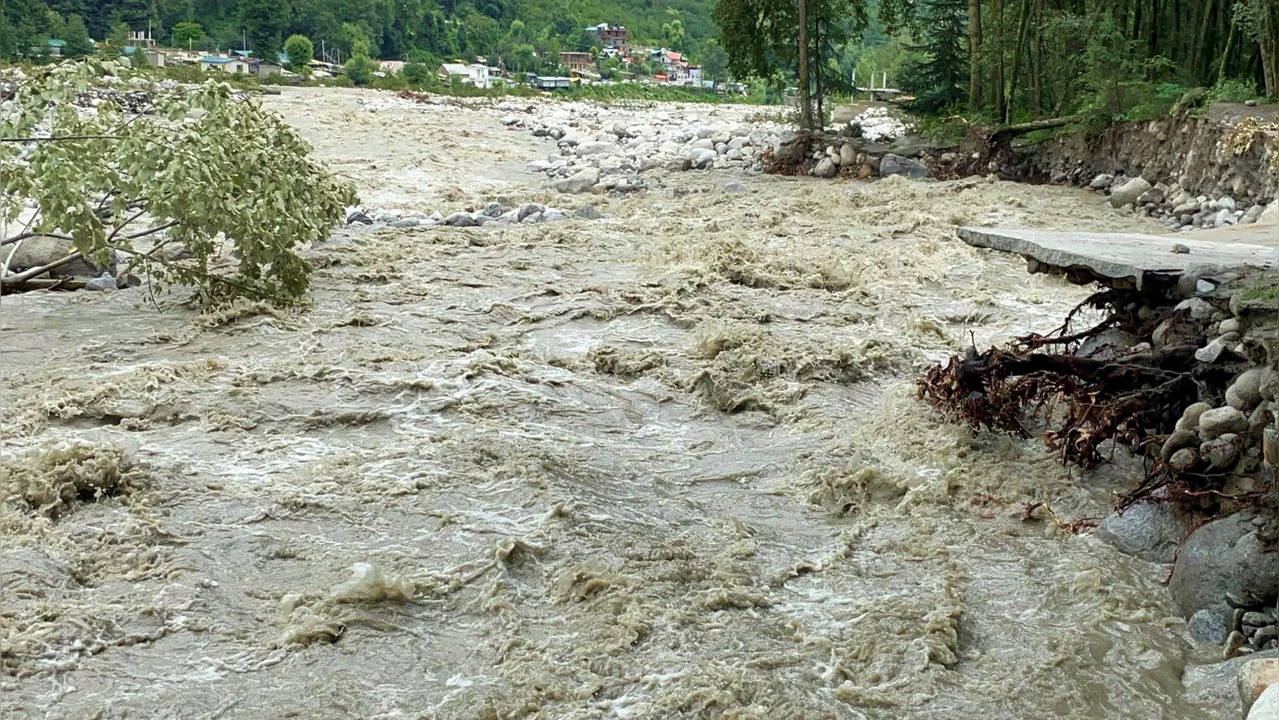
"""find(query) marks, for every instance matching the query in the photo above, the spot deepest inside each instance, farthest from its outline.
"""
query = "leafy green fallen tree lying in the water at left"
(199, 168)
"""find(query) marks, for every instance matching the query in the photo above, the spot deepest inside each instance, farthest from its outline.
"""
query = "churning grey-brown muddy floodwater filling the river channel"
(662, 465)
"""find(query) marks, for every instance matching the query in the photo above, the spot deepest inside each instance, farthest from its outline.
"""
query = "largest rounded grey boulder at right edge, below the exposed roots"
(1225, 563)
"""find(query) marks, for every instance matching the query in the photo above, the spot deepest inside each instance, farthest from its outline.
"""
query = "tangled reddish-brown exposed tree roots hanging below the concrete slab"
(1089, 402)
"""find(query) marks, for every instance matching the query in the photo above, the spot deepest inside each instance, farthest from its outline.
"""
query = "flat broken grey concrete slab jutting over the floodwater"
(1122, 259)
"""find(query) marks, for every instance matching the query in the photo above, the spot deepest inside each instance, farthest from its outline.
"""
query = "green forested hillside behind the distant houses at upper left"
(392, 29)
